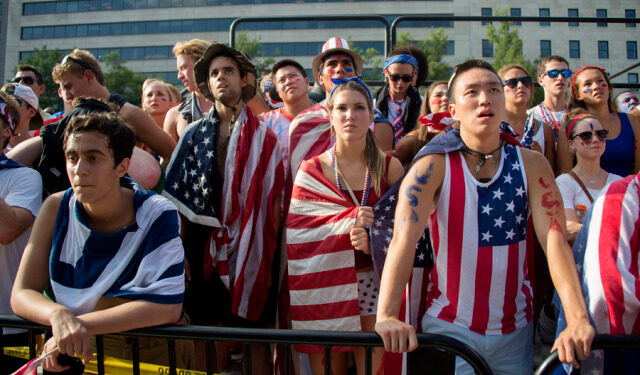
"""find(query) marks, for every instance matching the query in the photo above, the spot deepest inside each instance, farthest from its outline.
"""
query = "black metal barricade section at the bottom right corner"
(618, 343)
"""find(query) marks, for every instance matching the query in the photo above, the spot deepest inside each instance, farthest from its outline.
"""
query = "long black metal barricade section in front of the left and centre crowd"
(368, 340)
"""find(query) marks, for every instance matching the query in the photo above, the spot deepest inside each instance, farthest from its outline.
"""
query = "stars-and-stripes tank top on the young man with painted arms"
(478, 231)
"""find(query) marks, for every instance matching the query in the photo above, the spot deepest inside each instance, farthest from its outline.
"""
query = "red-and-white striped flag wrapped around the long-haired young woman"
(321, 259)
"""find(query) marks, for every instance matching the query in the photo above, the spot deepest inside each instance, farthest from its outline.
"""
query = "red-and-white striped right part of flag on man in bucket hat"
(243, 250)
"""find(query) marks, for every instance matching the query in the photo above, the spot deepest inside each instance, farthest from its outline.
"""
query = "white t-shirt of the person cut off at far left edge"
(19, 187)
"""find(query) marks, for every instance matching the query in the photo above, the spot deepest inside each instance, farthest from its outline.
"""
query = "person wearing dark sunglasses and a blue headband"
(399, 101)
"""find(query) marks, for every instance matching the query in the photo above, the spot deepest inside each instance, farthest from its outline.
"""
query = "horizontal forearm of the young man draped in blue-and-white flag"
(130, 315)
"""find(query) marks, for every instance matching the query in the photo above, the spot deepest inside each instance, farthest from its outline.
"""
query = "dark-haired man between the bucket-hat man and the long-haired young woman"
(291, 84)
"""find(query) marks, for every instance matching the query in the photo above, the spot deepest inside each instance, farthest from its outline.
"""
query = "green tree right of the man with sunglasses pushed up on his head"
(121, 79)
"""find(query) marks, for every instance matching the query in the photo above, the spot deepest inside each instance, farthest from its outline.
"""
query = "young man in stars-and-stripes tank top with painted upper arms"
(476, 197)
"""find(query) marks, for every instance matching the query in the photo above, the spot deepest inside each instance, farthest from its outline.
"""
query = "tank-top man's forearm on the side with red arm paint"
(565, 278)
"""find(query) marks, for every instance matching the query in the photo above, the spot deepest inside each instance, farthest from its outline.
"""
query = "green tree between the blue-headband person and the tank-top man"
(434, 48)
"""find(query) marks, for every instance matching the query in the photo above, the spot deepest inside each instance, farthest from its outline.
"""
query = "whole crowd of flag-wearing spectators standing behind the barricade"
(311, 208)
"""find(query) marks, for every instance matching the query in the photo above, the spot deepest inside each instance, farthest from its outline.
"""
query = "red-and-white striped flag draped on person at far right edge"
(606, 254)
